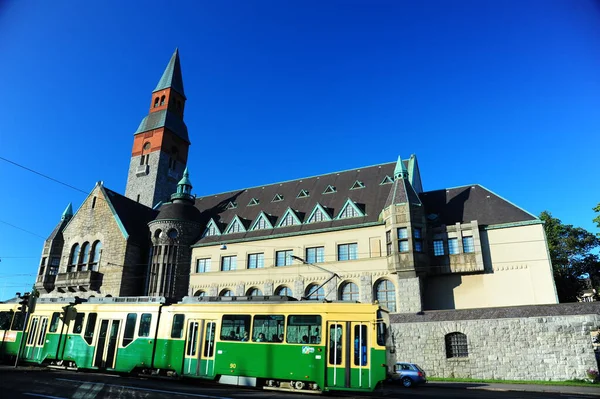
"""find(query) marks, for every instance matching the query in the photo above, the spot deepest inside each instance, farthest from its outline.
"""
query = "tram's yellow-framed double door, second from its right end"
(199, 359)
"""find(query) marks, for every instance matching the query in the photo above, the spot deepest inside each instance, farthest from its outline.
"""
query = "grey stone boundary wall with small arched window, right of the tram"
(547, 342)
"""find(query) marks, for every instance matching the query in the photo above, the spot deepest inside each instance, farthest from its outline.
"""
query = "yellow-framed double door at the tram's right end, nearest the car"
(348, 355)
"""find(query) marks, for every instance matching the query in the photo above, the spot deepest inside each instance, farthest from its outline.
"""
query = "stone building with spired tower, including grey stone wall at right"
(465, 272)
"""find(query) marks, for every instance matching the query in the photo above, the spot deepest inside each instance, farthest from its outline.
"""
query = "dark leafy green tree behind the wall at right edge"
(571, 255)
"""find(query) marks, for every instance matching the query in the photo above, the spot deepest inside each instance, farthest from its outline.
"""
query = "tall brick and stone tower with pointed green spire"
(161, 143)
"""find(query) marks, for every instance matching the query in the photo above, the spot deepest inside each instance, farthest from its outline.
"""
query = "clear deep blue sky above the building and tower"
(501, 93)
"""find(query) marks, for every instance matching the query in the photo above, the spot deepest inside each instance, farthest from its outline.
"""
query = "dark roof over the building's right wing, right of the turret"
(473, 202)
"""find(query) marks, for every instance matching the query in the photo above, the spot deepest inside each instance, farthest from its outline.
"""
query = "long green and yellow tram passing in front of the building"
(272, 342)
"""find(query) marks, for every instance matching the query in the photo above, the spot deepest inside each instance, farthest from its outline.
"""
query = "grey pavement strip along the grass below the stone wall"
(564, 389)
